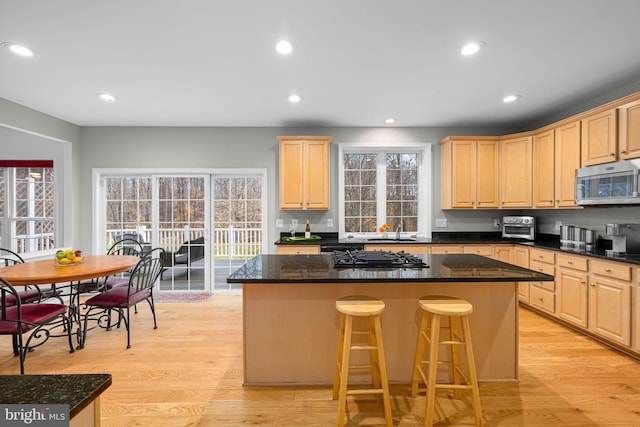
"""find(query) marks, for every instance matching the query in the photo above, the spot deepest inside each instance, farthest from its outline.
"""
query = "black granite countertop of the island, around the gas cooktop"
(320, 269)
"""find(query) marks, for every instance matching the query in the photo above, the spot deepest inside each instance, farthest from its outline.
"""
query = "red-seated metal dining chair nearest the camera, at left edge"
(36, 319)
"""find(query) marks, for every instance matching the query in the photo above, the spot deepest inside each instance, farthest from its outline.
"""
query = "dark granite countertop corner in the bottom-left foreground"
(75, 390)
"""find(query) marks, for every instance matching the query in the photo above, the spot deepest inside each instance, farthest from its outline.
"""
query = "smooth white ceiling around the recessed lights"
(357, 62)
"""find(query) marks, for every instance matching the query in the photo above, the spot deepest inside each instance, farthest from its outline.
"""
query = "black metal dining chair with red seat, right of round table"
(120, 299)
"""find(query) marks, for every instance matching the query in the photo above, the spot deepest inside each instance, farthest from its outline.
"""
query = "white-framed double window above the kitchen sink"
(385, 185)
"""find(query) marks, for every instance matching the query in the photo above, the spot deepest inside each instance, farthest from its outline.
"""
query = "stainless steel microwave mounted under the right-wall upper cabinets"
(608, 184)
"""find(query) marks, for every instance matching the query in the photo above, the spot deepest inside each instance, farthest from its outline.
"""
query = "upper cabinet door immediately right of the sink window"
(463, 174)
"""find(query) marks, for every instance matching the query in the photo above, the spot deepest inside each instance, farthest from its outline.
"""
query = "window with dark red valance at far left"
(27, 205)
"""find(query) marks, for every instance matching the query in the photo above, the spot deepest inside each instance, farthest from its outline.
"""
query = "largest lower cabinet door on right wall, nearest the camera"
(611, 309)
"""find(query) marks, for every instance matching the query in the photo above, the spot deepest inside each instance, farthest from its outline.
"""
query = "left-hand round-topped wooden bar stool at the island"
(351, 307)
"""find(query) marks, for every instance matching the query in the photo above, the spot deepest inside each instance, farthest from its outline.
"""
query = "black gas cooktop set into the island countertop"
(372, 259)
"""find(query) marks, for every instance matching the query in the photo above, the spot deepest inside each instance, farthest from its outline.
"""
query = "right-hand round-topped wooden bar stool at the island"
(434, 307)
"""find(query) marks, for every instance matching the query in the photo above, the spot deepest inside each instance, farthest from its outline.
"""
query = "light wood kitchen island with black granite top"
(291, 324)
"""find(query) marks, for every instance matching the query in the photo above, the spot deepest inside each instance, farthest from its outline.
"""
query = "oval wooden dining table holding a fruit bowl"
(47, 272)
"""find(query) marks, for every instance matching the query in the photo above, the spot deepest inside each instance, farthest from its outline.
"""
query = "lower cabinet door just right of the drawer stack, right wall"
(573, 296)
